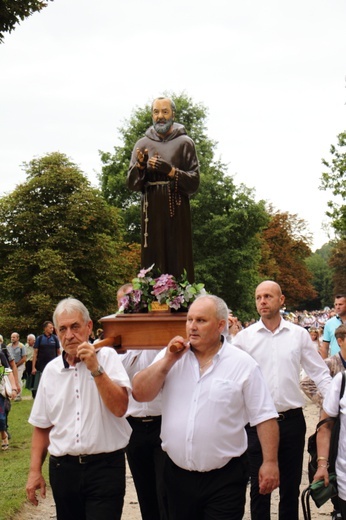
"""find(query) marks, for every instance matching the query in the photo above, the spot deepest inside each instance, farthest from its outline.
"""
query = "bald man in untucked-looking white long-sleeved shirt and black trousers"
(281, 348)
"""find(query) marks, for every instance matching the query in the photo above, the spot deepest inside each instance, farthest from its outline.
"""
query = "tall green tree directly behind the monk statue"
(226, 220)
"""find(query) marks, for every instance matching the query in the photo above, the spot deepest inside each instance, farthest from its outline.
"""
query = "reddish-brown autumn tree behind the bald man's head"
(286, 245)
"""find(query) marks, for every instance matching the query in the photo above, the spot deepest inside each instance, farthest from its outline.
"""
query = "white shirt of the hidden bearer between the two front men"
(134, 361)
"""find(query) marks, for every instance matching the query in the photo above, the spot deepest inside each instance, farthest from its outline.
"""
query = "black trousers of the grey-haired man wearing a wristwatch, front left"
(92, 489)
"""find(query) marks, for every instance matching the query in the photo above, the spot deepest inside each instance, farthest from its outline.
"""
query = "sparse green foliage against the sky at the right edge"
(335, 180)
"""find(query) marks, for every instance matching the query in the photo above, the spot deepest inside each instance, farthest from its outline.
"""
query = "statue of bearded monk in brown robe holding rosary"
(164, 168)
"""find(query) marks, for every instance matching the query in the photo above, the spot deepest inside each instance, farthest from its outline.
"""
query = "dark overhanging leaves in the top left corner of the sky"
(14, 11)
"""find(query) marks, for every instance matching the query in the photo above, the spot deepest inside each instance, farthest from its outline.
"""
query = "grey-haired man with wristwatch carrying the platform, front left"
(78, 415)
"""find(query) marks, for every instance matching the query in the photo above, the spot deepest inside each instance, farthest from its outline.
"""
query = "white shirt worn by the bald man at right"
(281, 354)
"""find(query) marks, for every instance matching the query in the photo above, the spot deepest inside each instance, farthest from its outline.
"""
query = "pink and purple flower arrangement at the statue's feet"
(177, 294)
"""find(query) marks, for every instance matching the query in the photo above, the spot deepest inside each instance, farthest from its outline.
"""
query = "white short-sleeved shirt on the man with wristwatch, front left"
(68, 400)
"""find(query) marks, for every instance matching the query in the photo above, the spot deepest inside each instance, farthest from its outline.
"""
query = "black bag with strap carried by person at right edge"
(317, 490)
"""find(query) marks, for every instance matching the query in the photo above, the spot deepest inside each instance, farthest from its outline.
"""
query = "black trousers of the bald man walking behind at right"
(291, 451)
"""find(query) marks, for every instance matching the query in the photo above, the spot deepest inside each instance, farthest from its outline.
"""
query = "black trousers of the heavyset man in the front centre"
(212, 495)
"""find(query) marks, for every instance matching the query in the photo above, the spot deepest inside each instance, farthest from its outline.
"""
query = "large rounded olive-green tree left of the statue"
(58, 237)
